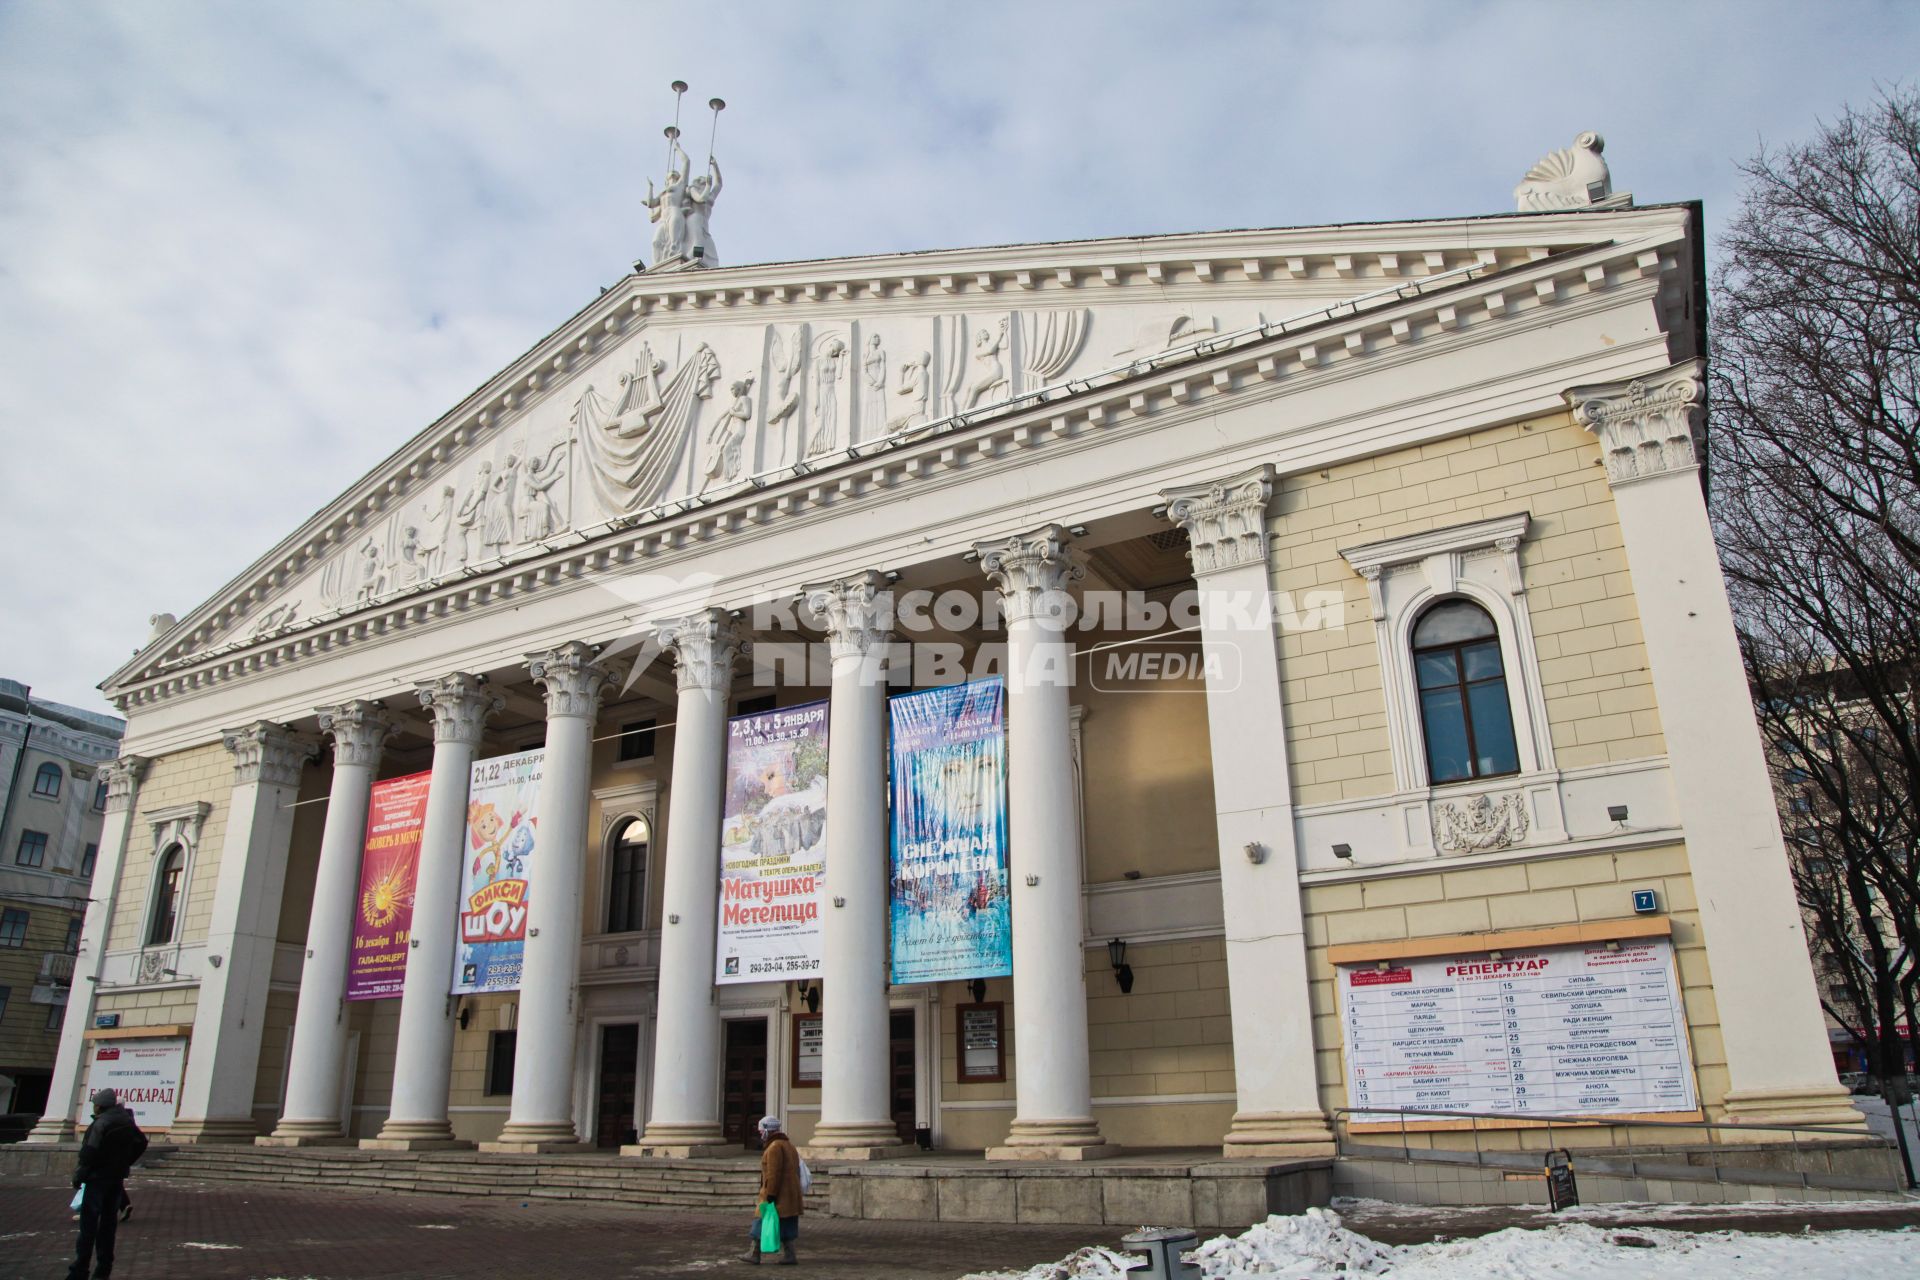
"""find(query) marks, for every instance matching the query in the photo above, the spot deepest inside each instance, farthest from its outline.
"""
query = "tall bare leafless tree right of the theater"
(1815, 467)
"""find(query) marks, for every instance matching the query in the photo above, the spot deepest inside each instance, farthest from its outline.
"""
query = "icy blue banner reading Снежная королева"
(951, 913)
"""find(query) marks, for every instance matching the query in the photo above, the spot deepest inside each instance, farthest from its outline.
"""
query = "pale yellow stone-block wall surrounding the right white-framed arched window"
(1587, 628)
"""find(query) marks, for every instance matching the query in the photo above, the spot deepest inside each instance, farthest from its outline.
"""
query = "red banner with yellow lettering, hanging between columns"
(391, 861)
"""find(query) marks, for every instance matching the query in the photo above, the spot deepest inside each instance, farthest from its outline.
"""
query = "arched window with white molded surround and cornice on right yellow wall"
(1456, 642)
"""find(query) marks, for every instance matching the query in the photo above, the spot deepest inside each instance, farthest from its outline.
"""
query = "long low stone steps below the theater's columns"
(694, 1185)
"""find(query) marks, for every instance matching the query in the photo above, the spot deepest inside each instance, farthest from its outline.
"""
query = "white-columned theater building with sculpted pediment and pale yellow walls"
(1374, 724)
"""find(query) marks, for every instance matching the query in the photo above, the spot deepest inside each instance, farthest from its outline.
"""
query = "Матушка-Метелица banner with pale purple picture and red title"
(773, 845)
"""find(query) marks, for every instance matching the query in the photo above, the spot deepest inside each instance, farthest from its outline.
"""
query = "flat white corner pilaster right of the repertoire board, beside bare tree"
(1777, 1053)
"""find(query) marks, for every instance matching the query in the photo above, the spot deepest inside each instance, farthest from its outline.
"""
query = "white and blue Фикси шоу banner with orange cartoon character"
(502, 834)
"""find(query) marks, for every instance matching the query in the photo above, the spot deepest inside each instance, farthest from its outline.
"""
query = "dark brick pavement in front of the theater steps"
(302, 1233)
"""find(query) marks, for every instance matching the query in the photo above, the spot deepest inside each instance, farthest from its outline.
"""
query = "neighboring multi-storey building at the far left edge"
(53, 805)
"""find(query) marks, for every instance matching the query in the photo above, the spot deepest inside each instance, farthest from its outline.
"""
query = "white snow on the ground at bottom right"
(1316, 1246)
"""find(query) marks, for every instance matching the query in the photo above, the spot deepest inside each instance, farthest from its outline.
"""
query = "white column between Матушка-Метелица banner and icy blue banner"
(855, 1097)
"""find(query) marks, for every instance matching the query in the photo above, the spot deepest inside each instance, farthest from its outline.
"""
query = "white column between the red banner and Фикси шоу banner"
(418, 1118)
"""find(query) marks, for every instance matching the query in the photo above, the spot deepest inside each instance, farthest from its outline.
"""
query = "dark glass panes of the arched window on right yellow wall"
(1464, 694)
